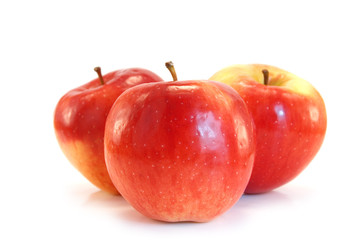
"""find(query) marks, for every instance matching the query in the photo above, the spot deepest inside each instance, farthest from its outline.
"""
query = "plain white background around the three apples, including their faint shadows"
(50, 47)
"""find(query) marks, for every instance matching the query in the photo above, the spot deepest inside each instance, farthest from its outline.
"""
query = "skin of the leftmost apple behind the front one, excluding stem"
(79, 121)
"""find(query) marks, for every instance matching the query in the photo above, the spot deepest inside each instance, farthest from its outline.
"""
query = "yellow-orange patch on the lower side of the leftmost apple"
(85, 160)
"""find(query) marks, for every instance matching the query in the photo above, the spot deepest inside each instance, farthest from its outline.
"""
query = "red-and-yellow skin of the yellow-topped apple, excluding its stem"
(290, 121)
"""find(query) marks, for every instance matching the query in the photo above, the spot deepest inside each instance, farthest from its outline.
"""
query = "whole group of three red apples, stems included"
(188, 150)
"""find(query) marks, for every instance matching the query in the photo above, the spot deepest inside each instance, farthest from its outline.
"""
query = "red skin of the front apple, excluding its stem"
(180, 151)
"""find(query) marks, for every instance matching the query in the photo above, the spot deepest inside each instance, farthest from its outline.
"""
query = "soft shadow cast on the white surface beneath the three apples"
(241, 212)
